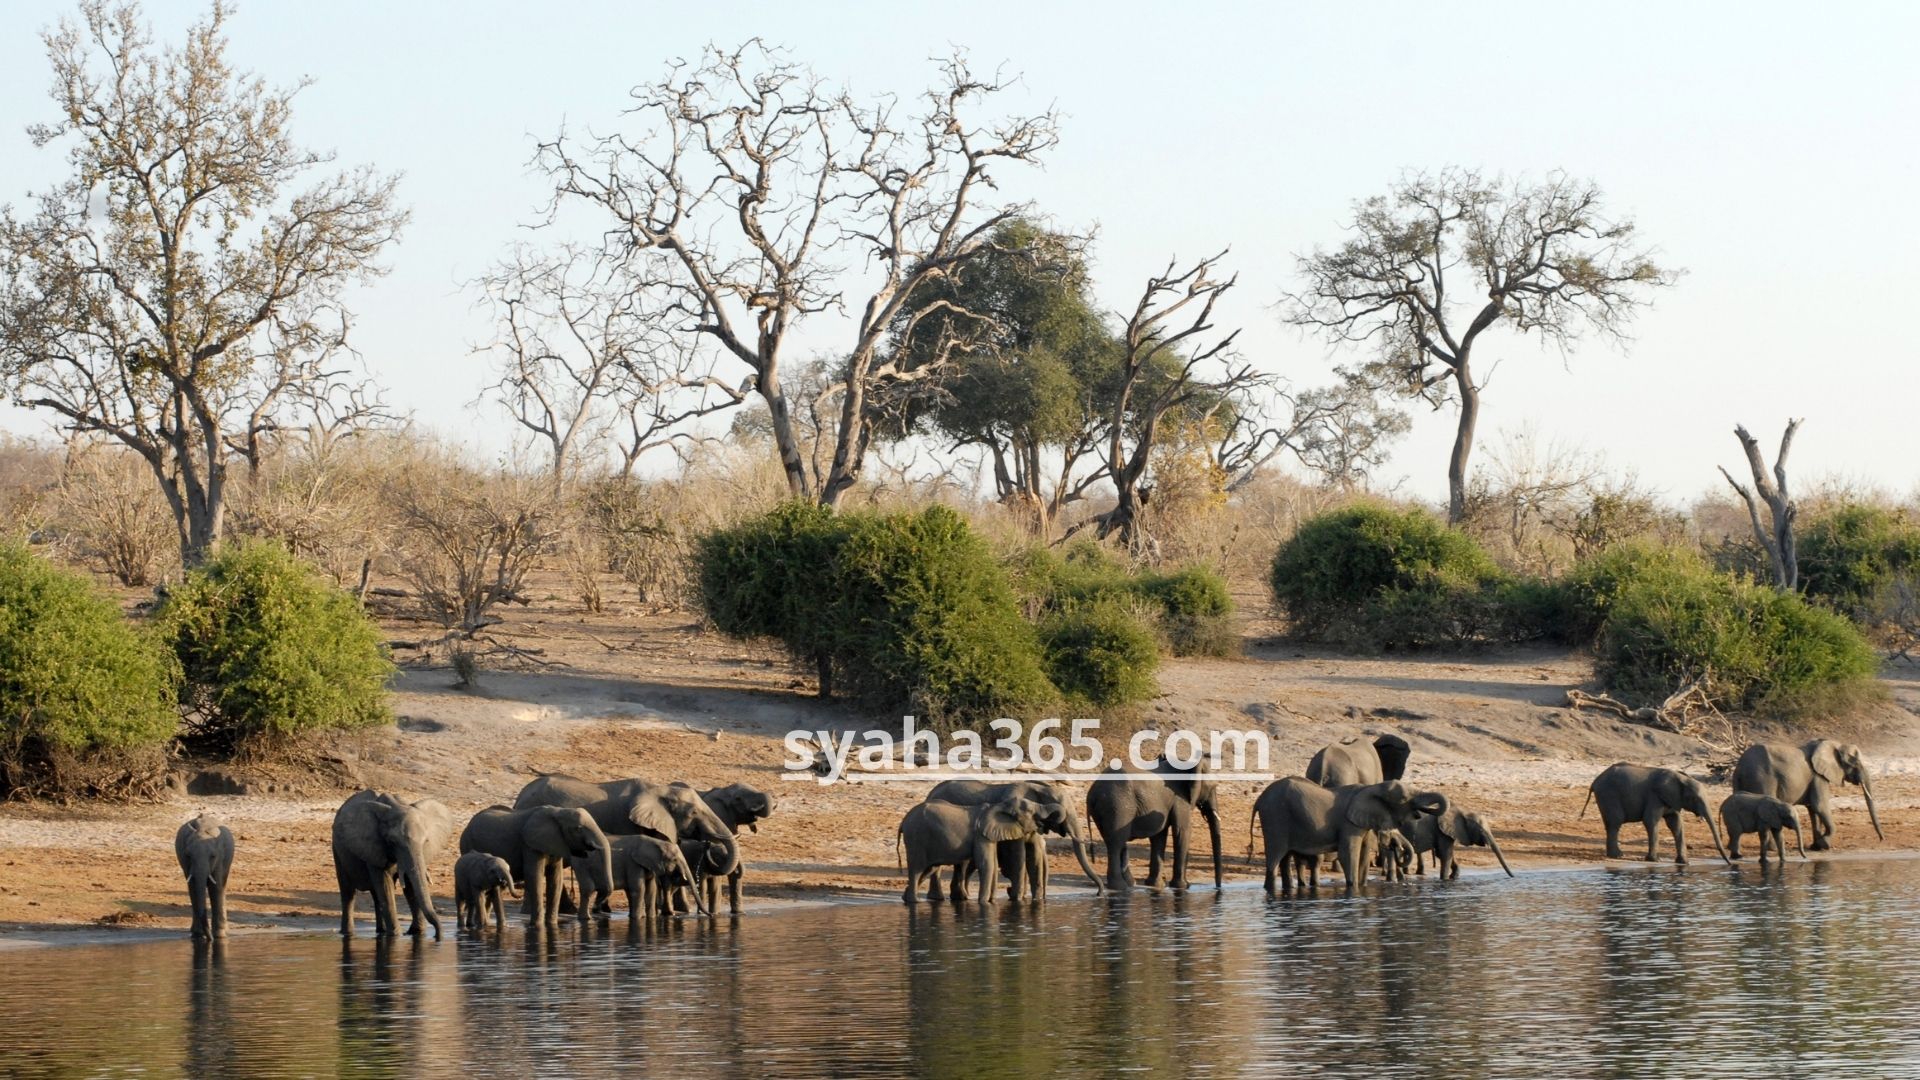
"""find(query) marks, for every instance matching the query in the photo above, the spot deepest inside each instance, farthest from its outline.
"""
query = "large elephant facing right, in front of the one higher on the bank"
(1305, 822)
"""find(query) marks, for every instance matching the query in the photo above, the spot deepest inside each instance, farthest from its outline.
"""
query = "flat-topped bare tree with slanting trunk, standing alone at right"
(1443, 258)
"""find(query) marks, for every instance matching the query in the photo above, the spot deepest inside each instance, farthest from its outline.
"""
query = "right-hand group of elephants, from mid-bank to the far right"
(1353, 804)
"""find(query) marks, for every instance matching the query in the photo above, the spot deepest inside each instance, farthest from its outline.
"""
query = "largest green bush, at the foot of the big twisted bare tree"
(907, 610)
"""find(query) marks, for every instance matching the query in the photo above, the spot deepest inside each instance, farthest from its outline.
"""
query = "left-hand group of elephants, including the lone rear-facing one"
(661, 845)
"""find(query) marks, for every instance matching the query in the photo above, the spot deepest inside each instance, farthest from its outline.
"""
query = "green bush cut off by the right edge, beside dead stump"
(1854, 552)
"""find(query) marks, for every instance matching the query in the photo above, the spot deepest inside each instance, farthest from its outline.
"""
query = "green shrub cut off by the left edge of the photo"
(76, 677)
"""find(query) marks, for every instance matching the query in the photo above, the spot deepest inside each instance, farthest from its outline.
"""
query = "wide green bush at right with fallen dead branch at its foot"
(1673, 622)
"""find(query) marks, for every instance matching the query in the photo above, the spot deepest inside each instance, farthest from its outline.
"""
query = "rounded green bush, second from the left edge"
(270, 647)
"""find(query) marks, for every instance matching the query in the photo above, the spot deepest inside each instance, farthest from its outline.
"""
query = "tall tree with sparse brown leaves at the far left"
(172, 293)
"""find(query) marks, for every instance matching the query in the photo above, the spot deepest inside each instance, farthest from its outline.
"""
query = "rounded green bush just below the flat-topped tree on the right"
(1376, 577)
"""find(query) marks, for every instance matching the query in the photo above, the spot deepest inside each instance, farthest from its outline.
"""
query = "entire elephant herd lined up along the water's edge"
(669, 845)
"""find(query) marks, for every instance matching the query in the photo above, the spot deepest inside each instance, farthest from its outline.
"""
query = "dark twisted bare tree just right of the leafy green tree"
(1163, 372)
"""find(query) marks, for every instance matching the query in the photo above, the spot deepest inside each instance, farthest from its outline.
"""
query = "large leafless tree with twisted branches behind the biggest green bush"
(748, 185)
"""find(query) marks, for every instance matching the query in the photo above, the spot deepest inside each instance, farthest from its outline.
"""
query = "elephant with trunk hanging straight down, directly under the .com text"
(1147, 806)
